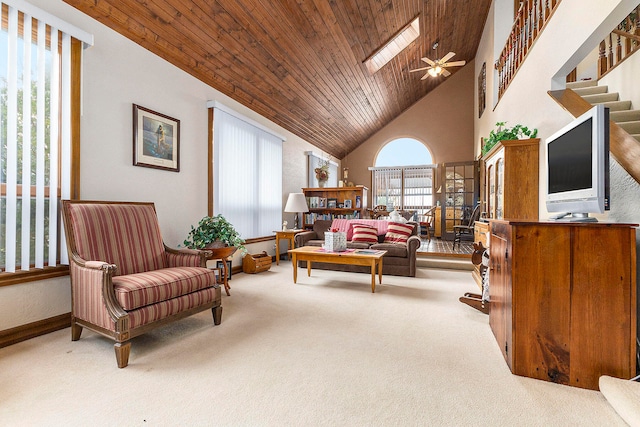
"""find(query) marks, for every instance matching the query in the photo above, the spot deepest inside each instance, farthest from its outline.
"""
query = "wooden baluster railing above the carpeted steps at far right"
(627, 35)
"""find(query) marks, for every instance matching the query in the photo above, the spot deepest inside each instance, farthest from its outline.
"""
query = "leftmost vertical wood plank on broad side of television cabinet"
(541, 272)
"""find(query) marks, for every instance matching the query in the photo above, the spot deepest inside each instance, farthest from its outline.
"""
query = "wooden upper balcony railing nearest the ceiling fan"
(530, 20)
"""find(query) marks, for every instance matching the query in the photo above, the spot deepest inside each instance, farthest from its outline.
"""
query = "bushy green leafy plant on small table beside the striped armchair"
(211, 229)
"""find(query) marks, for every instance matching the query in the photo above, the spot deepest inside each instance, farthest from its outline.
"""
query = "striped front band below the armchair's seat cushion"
(151, 313)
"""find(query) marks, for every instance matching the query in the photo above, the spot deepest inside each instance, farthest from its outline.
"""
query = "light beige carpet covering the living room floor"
(324, 352)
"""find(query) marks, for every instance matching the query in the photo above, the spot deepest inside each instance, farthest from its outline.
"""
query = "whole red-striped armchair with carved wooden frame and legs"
(124, 280)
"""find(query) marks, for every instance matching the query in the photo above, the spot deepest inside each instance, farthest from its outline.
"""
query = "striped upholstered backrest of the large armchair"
(126, 235)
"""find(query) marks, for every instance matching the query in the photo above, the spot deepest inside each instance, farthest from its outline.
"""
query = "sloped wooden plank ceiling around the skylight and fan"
(300, 62)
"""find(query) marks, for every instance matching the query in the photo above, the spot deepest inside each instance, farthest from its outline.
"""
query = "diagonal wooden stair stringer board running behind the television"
(624, 148)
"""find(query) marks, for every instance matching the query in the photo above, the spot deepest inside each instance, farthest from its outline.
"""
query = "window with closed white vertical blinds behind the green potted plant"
(247, 161)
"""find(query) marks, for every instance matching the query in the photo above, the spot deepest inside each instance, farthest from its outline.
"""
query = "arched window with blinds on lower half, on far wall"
(402, 177)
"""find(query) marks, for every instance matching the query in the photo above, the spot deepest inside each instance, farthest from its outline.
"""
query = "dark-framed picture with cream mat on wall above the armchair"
(156, 140)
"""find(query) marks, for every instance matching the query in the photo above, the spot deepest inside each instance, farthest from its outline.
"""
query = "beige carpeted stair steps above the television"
(620, 111)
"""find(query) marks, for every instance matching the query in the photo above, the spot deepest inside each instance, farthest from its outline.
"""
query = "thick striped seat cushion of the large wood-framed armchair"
(142, 289)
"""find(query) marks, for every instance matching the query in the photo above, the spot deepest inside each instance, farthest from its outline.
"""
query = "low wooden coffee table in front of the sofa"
(358, 257)
